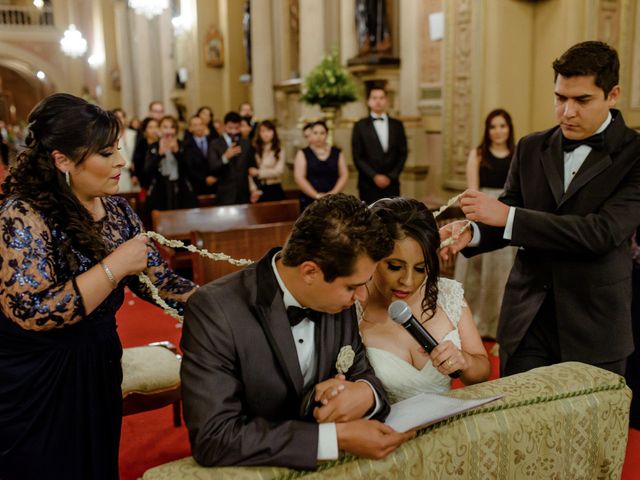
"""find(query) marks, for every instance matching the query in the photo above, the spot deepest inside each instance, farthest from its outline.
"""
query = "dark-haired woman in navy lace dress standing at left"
(67, 250)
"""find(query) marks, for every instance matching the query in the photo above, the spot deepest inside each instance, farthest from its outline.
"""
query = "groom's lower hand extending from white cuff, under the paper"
(370, 438)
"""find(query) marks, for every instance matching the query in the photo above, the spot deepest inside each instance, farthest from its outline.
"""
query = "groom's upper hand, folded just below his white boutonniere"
(342, 401)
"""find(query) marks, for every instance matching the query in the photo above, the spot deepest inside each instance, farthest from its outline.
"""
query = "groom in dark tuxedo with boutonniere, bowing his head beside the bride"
(261, 342)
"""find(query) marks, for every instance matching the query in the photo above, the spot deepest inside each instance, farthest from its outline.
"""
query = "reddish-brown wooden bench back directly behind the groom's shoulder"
(250, 242)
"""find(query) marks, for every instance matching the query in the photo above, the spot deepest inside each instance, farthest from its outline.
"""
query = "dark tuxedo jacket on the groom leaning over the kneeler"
(241, 380)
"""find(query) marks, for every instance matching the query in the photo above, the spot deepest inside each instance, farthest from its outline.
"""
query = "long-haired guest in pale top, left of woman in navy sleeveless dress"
(270, 161)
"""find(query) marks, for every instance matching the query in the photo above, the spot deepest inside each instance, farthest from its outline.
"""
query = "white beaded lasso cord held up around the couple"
(155, 293)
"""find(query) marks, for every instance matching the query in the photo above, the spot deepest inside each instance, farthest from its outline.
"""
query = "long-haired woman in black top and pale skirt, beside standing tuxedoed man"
(484, 276)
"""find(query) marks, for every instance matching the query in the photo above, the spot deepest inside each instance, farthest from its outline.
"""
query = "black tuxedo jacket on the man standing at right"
(575, 244)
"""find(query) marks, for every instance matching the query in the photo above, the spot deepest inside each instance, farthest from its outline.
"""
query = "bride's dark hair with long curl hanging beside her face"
(406, 217)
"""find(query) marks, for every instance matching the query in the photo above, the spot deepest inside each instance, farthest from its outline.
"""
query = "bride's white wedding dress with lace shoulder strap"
(402, 380)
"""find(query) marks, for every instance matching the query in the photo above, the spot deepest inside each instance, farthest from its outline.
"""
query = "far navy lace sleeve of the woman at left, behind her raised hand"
(174, 289)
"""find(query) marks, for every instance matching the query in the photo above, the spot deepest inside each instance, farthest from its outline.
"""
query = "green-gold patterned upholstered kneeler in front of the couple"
(565, 421)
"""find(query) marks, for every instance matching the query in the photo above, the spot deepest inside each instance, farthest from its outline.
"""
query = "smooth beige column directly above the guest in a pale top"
(262, 59)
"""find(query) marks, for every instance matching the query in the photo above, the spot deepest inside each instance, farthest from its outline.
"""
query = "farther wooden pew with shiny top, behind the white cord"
(178, 224)
